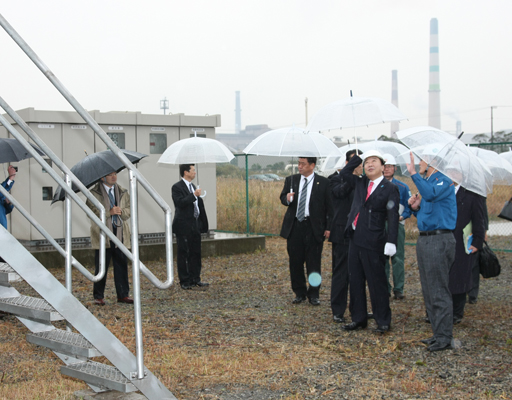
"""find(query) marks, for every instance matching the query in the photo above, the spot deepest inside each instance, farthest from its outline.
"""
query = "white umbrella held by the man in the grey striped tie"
(292, 142)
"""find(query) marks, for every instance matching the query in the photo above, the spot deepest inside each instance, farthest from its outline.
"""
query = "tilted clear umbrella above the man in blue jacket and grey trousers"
(448, 155)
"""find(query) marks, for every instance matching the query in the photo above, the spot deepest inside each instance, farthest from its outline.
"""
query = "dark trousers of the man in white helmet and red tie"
(368, 266)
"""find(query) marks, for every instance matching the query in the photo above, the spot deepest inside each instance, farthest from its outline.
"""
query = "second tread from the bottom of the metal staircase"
(64, 342)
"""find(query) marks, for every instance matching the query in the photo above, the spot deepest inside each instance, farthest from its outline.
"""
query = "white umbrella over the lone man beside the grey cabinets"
(196, 150)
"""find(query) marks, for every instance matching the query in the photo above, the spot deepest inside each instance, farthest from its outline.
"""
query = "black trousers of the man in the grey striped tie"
(303, 248)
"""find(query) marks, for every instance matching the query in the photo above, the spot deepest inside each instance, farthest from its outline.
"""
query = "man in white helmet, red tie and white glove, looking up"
(376, 201)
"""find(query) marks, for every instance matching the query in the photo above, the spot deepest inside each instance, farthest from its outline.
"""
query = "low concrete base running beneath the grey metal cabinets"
(220, 245)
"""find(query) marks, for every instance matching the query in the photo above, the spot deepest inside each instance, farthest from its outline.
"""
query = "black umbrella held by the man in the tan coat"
(94, 167)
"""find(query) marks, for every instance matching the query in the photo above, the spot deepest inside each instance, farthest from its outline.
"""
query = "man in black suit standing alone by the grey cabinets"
(189, 222)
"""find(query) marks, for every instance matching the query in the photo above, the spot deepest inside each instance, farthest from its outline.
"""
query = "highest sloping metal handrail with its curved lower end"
(112, 146)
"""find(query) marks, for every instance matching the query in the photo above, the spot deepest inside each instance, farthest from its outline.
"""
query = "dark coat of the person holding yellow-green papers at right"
(470, 208)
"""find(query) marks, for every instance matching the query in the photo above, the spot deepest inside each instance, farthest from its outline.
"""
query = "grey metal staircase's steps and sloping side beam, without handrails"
(74, 349)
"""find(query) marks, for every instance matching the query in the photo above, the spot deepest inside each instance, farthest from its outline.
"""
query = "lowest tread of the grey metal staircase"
(101, 375)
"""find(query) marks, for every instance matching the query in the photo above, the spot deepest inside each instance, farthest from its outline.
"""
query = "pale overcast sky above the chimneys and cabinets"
(128, 55)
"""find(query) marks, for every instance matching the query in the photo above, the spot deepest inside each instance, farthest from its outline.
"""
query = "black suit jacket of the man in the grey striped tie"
(320, 206)
